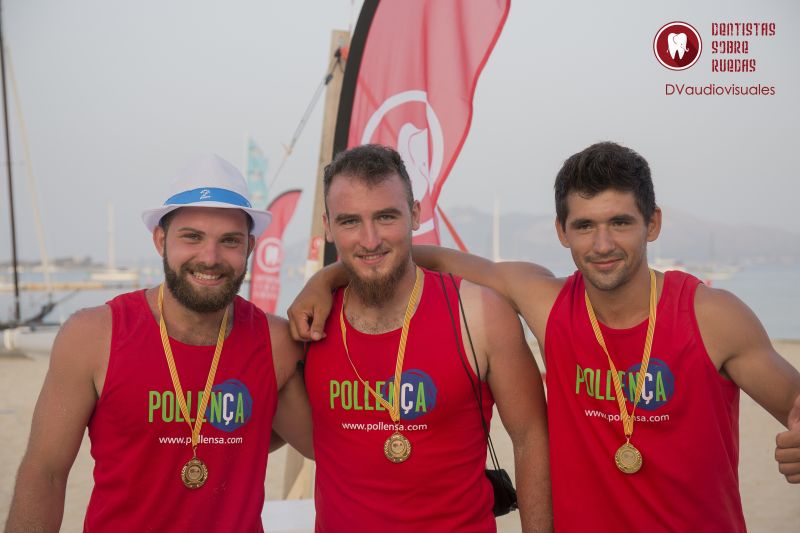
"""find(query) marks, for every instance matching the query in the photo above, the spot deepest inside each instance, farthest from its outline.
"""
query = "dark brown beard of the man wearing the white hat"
(183, 291)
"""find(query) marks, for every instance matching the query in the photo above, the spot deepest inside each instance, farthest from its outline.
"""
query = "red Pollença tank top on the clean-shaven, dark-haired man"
(686, 424)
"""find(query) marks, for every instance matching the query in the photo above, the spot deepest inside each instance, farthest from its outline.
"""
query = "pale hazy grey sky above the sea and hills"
(118, 96)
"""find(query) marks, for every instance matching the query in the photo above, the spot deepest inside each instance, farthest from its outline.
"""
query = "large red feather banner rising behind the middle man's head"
(416, 65)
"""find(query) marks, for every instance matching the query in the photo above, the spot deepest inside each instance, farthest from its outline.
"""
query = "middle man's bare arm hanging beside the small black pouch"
(516, 385)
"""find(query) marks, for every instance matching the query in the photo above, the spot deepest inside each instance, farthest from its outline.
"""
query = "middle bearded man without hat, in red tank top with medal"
(398, 394)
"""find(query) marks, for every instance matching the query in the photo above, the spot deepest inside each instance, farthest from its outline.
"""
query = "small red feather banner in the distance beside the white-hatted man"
(265, 277)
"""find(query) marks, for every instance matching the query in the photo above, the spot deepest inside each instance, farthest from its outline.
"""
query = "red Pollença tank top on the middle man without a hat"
(442, 485)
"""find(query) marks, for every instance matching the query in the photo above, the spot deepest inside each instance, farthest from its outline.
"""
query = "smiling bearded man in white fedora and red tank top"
(179, 385)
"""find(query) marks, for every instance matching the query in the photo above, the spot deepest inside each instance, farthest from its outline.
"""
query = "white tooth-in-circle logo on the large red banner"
(421, 146)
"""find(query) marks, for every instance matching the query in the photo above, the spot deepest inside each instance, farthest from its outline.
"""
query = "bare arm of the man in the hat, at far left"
(73, 383)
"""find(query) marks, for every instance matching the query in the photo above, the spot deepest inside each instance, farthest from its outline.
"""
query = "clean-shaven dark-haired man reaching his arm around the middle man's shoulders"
(643, 368)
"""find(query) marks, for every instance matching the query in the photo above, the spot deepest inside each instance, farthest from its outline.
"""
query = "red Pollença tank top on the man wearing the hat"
(140, 440)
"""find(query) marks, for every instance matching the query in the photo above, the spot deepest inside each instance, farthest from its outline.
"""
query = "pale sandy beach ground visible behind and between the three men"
(770, 504)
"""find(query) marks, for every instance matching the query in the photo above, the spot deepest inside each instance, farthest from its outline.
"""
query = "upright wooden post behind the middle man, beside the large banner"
(299, 472)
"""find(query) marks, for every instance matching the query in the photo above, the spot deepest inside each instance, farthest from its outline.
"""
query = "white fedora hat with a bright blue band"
(209, 181)
